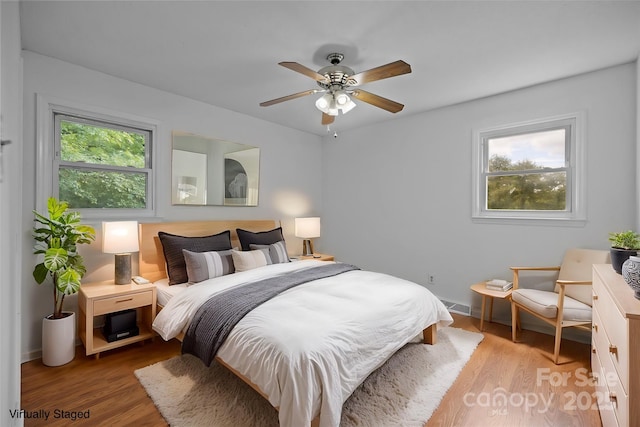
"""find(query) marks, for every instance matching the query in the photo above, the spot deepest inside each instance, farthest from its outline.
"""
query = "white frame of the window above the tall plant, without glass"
(49, 159)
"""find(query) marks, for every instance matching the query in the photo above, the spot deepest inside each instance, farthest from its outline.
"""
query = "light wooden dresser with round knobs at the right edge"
(615, 348)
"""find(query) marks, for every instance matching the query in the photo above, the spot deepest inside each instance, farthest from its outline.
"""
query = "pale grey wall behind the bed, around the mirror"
(290, 165)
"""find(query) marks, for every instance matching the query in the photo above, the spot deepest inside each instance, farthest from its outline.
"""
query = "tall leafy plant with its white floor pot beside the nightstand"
(57, 236)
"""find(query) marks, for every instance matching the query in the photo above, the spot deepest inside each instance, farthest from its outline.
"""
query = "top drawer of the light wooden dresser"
(616, 330)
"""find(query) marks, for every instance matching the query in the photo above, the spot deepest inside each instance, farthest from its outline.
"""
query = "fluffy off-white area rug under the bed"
(403, 392)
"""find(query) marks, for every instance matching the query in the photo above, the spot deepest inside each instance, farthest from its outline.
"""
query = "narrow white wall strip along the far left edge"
(10, 197)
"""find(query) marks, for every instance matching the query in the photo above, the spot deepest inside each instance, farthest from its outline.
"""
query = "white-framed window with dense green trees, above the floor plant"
(101, 164)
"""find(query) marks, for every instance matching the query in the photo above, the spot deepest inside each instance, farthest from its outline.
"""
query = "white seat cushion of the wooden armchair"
(545, 304)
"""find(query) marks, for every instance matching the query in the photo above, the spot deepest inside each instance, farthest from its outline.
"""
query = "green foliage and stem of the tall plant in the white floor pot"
(57, 235)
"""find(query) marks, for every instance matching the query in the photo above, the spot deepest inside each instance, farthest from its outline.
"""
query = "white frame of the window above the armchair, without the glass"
(575, 213)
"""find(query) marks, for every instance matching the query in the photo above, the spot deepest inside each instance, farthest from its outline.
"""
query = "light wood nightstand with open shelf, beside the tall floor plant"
(100, 298)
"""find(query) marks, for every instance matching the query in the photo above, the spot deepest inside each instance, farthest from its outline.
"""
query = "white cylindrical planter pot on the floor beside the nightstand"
(59, 340)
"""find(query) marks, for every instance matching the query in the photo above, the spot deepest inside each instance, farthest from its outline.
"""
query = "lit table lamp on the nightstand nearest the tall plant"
(120, 238)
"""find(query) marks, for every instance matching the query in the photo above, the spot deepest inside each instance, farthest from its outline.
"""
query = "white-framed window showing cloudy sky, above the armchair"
(529, 171)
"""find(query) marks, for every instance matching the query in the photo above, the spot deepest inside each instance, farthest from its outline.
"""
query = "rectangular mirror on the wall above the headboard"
(207, 171)
